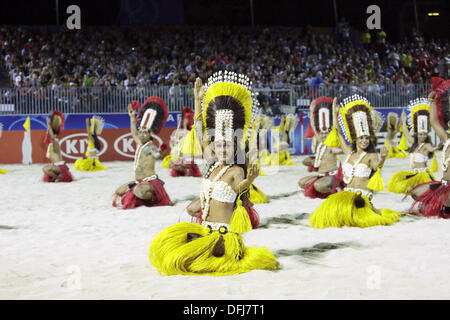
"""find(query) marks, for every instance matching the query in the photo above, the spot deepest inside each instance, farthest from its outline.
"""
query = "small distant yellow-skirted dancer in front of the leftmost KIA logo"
(90, 161)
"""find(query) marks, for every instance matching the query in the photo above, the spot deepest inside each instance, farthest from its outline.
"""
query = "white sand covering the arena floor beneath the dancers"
(66, 241)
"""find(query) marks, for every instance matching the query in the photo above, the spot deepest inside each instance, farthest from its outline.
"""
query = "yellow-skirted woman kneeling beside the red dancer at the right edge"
(422, 150)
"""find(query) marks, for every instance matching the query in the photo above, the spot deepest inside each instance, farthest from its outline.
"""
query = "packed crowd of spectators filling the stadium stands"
(274, 57)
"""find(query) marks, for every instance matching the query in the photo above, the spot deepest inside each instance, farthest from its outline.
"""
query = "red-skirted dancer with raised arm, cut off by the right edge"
(432, 199)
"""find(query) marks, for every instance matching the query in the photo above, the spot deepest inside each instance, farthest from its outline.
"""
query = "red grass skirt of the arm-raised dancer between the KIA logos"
(130, 201)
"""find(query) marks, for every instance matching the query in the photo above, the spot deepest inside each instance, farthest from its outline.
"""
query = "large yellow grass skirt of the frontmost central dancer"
(171, 253)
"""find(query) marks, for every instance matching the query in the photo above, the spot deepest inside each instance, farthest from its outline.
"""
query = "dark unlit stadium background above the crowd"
(397, 17)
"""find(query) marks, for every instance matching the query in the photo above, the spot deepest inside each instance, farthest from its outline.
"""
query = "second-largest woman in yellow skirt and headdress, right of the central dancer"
(352, 206)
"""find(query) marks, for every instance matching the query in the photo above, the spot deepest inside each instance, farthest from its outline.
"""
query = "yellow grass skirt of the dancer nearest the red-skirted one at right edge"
(405, 181)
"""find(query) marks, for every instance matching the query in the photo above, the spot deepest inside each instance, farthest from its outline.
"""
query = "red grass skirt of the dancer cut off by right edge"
(432, 203)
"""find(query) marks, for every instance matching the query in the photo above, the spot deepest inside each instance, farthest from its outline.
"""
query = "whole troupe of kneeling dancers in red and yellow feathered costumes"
(219, 142)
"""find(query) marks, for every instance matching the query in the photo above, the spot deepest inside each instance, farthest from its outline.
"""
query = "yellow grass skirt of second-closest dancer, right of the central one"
(339, 210)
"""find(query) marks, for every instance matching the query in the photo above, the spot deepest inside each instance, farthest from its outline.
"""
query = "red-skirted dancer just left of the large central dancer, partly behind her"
(182, 166)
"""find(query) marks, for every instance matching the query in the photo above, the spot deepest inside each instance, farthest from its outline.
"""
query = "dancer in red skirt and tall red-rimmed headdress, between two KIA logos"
(147, 189)
